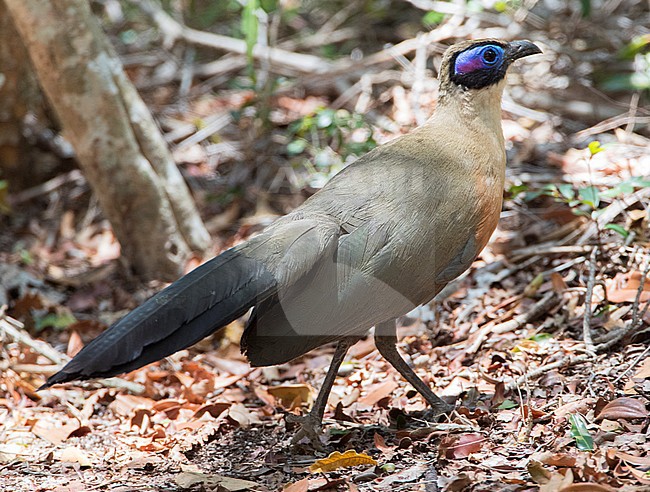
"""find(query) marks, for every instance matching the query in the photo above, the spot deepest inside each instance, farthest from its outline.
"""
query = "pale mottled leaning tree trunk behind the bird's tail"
(117, 143)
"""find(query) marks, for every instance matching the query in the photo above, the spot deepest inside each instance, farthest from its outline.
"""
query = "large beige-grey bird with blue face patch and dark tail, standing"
(382, 237)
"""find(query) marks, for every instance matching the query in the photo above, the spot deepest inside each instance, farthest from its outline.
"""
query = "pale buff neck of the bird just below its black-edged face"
(477, 109)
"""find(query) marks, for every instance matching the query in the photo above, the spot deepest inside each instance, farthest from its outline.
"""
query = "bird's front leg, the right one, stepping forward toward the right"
(386, 342)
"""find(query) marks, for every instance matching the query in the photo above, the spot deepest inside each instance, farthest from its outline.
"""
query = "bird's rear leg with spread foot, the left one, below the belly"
(310, 424)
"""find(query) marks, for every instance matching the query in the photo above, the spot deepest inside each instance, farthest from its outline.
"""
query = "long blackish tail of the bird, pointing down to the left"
(187, 311)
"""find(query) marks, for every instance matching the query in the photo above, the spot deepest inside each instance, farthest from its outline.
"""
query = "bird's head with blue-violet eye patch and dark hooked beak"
(480, 64)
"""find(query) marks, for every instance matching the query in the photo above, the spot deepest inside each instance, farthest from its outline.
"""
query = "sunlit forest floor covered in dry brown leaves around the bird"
(543, 345)
